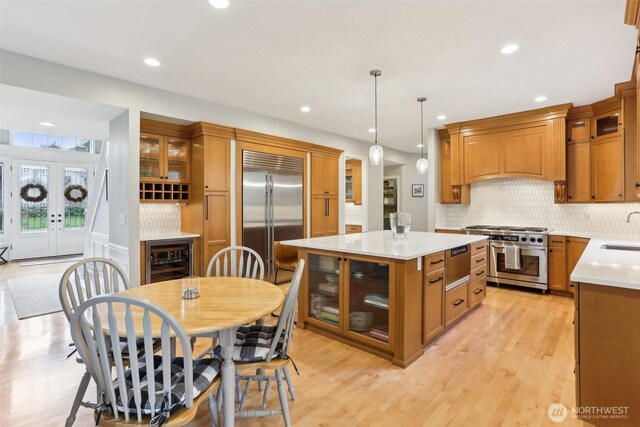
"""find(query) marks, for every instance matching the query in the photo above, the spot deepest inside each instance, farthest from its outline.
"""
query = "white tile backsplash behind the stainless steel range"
(528, 202)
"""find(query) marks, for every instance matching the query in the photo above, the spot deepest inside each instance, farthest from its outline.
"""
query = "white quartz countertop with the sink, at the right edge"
(609, 267)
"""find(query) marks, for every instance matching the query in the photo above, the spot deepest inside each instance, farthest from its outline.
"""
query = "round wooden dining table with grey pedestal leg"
(225, 303)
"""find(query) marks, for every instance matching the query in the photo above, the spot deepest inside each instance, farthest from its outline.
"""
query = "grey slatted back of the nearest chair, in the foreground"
(138, 319)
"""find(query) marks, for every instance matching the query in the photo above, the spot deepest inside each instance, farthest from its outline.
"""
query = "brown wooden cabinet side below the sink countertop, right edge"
(607, 352)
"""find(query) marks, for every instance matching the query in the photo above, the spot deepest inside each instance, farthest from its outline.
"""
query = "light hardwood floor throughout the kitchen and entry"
(503, 365)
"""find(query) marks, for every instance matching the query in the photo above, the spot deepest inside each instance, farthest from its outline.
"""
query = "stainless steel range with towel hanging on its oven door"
(517, 255)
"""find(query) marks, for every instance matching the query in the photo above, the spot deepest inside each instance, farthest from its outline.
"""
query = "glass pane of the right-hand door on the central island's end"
(369, 299)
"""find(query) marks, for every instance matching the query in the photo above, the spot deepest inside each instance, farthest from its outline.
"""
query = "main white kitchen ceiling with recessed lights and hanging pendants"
(271, 57)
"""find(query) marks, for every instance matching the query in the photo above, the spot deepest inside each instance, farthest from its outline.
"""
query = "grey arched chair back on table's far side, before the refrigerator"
(236, 261)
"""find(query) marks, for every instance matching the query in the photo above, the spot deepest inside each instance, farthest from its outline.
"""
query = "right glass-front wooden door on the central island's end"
(369, 287)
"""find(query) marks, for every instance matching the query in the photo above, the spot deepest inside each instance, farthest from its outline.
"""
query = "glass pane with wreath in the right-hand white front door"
(76, 196)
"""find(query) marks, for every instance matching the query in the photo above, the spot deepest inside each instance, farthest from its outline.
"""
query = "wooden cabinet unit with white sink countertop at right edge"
(606, 322)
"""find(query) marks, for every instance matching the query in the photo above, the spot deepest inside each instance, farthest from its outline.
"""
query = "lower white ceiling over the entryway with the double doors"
(22, 109)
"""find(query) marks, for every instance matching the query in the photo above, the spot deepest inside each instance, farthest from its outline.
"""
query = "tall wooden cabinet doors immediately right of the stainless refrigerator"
(324, 195)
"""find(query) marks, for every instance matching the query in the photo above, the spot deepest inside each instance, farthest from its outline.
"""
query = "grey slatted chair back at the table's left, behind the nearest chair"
(83, 280)
